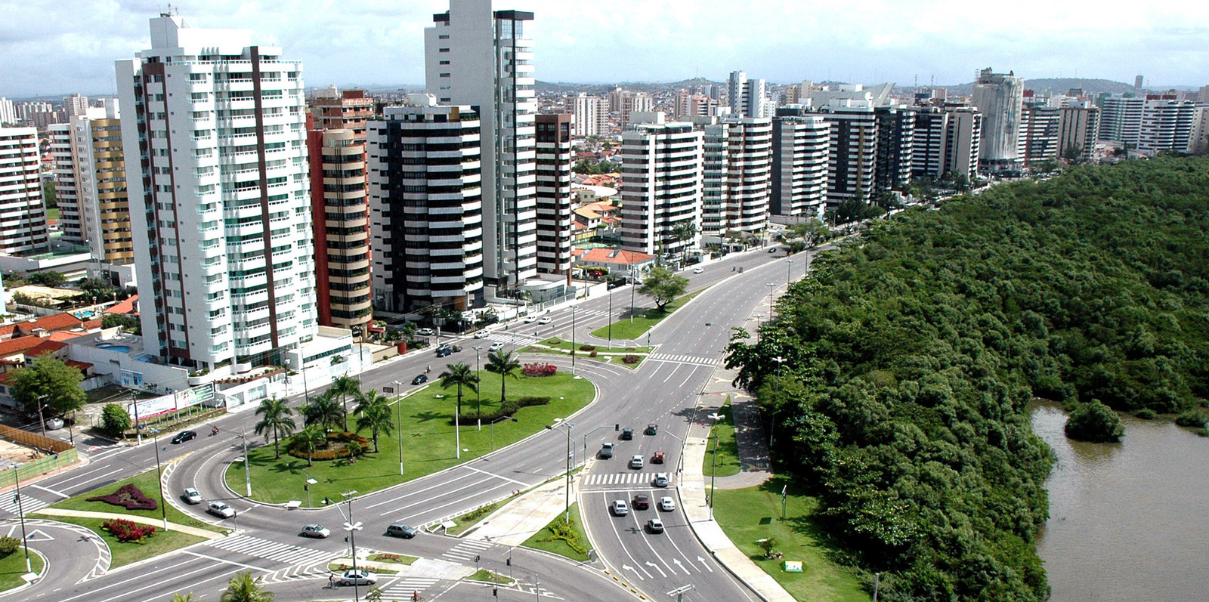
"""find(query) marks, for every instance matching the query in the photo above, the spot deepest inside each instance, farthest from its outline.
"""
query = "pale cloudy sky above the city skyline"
(61, 47)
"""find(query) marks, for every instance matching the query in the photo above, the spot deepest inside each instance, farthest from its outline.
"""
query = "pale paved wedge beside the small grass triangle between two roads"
(529, 514)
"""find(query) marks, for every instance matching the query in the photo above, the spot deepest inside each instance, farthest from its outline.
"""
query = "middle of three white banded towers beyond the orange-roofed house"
(738, 176)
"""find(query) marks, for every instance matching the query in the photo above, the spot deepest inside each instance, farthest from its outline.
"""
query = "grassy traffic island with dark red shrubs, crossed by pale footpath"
(183, 531)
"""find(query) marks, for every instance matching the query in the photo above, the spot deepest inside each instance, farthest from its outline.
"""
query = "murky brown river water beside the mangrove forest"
(1127, 522)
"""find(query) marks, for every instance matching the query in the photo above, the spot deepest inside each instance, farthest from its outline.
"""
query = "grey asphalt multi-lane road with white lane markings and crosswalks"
(663, 391)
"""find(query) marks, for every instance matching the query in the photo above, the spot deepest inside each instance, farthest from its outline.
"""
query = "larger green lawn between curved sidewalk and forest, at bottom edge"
(755, 513)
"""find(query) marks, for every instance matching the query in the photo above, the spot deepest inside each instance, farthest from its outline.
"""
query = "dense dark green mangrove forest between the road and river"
(911, 357)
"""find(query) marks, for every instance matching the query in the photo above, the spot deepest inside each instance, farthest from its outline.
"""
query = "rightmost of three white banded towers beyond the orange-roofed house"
(801, 143)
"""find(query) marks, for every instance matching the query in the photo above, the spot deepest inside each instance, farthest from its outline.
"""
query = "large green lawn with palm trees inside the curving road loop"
(427, 442)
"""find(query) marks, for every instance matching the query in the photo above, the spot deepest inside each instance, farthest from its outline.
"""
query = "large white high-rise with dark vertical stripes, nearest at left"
(217, 158)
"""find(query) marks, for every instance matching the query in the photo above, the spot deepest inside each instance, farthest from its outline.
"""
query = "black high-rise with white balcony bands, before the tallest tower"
(426, 207)
